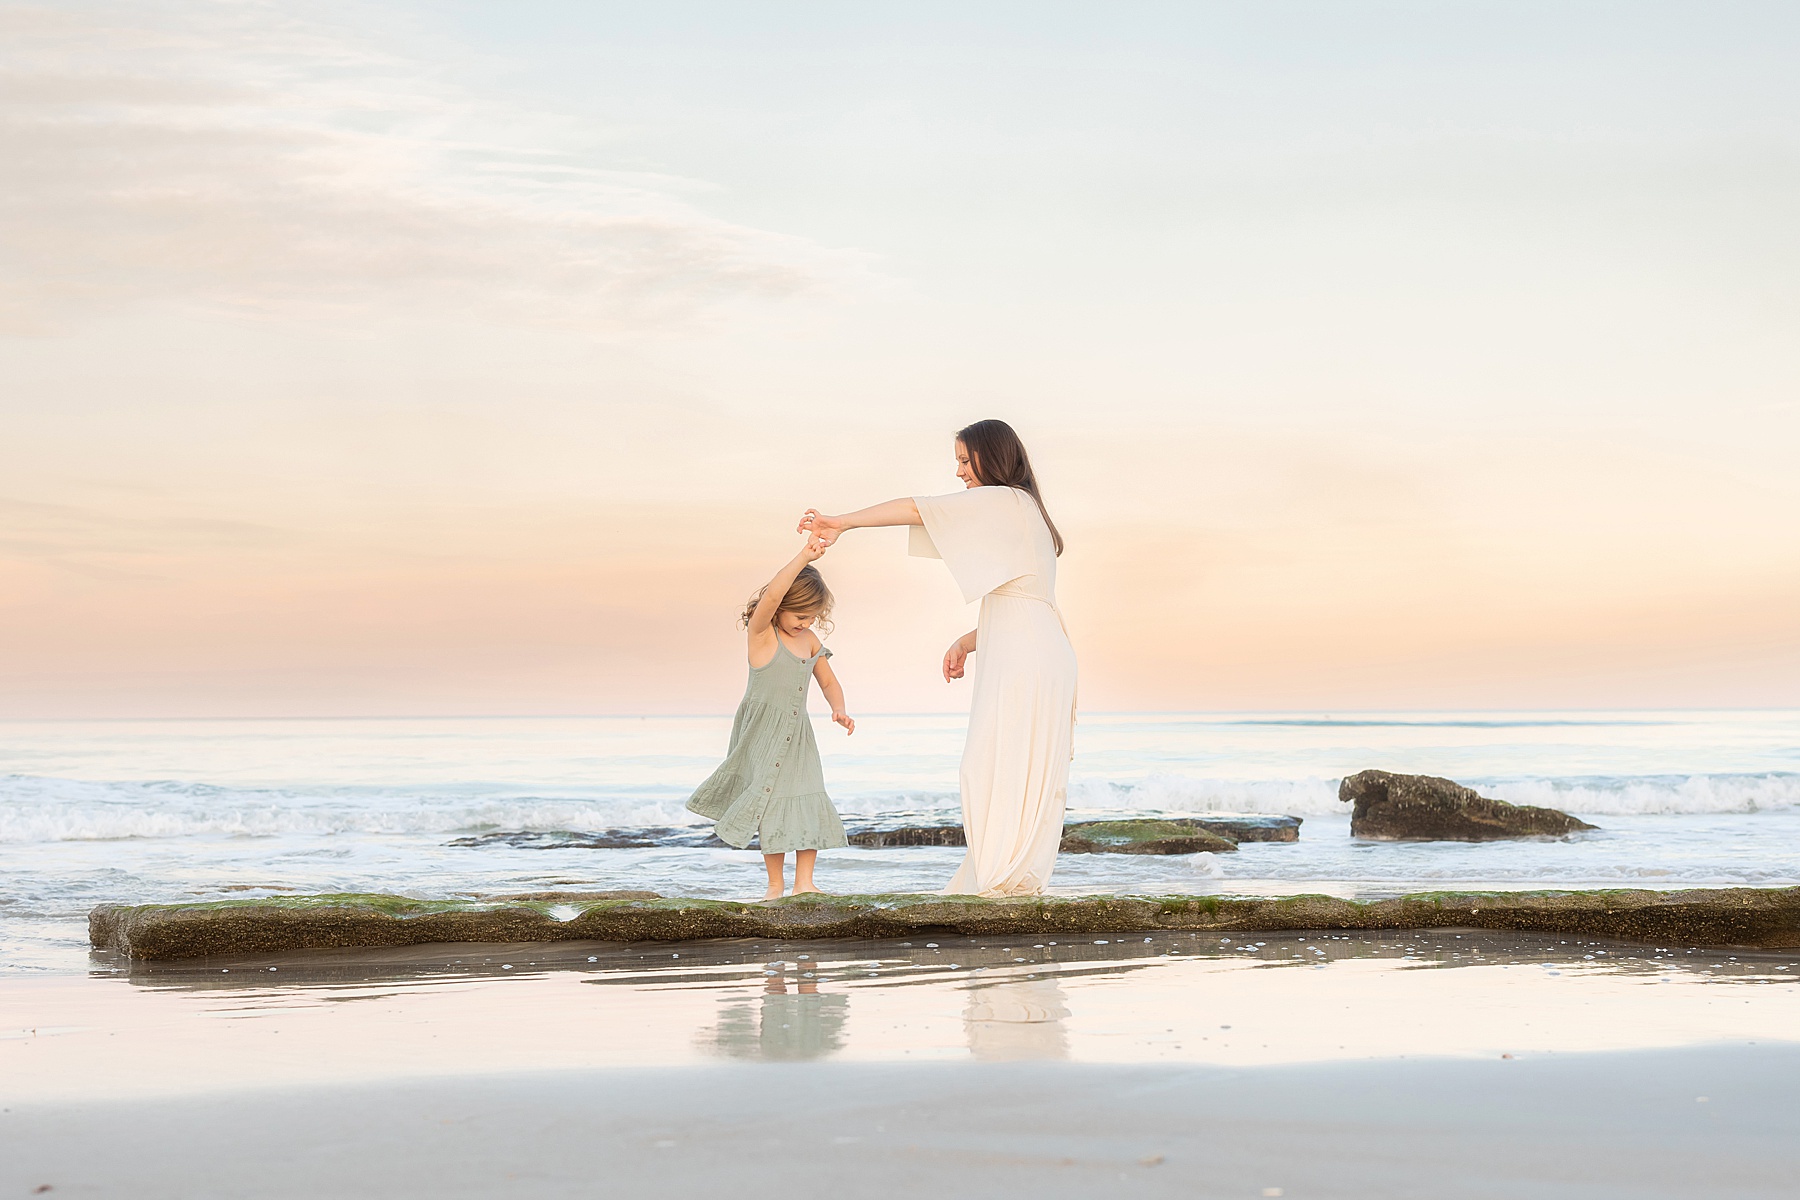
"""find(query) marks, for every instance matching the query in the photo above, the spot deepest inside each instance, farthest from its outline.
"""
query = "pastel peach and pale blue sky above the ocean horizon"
(411, 359)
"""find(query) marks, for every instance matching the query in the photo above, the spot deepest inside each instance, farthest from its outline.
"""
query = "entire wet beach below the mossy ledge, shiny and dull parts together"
(1428, 1066)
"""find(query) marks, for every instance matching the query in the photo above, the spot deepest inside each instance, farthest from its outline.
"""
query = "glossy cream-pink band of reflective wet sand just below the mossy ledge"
(1227, 999)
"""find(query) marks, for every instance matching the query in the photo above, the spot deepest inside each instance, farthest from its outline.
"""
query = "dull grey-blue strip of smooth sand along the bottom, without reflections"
(1596, 1125)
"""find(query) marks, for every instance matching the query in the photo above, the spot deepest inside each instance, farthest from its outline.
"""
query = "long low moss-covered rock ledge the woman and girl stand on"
(1736, 917)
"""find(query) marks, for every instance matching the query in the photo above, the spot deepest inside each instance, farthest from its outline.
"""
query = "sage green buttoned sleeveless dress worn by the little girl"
(771, 785)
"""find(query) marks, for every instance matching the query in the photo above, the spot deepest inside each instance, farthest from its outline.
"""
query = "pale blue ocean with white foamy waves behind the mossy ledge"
(161, 810)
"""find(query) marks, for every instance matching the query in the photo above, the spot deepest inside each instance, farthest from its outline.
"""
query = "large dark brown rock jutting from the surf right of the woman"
(1425, 809)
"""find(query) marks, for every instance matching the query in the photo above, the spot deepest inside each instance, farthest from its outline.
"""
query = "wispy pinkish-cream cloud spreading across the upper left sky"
(235, 156)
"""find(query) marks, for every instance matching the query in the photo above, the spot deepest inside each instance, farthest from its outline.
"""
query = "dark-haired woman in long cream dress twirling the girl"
(1002, 548)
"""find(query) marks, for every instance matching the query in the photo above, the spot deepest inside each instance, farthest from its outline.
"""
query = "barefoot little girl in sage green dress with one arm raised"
(771, 787)
